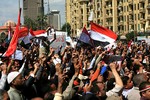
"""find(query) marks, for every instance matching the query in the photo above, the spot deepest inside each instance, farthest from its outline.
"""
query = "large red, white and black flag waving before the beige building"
(102, 36)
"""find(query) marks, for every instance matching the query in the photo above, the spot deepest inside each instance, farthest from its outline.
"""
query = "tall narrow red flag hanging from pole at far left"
(13, 43)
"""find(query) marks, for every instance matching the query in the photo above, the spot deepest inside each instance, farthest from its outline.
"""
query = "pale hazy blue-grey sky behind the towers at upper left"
(9, 9)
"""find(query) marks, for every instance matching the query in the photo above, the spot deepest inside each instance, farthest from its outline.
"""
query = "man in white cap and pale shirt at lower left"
(16, 82)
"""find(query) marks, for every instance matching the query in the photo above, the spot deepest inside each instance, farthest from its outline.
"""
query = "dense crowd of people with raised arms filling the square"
(80, 73)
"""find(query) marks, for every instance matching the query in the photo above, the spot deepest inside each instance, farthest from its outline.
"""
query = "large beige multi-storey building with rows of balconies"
(121, 16)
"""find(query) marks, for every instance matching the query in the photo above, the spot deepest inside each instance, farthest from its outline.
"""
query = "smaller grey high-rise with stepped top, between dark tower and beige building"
(54, 19)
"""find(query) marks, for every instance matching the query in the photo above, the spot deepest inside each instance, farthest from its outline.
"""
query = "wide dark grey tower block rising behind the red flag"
(33, 8)
